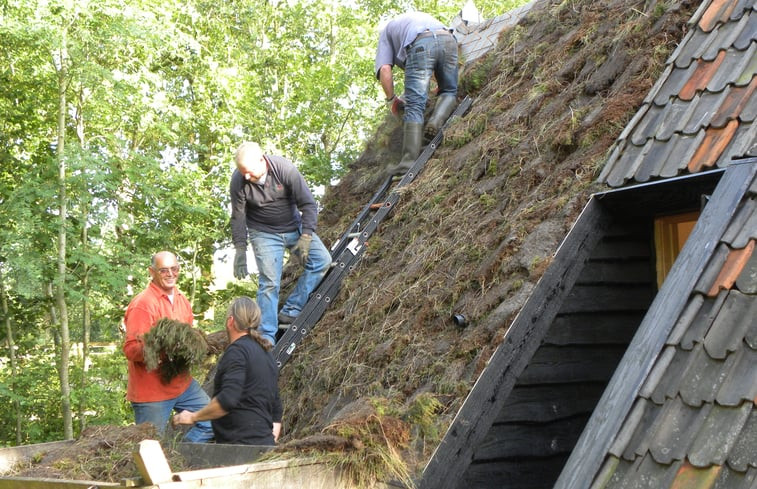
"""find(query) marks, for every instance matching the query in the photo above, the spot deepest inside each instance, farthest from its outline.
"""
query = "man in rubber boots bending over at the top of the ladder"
(421, 46)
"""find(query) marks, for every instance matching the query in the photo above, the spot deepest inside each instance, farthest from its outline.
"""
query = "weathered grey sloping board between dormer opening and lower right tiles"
(617, 400)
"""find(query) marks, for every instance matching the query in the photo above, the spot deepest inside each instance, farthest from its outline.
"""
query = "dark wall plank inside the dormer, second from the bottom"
(517, 440)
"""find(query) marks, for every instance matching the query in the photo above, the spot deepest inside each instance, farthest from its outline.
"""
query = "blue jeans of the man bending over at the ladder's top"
(432, 55)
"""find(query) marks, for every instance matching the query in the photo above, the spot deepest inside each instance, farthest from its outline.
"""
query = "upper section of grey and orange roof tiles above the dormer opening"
(700, 114)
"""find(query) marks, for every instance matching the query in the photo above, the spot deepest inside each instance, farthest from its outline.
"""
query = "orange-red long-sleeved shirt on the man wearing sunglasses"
(144, 310)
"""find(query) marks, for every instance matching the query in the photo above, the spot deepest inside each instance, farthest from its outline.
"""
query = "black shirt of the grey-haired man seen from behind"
(246, 386)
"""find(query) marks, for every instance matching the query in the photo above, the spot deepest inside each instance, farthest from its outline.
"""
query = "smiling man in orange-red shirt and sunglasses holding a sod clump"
(152, 400)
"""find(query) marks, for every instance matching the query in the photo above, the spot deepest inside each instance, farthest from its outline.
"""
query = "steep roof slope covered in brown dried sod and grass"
(475, 232)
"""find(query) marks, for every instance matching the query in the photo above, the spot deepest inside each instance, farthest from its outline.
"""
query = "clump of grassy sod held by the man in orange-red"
(172, 347)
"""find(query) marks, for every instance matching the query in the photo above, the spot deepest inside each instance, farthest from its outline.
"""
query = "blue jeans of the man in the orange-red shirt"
(193, 399)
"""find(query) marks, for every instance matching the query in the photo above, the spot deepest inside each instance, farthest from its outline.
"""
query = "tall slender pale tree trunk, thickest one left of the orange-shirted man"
(60, 282)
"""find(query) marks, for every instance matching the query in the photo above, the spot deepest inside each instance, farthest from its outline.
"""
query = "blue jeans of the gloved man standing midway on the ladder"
(269, 256)
